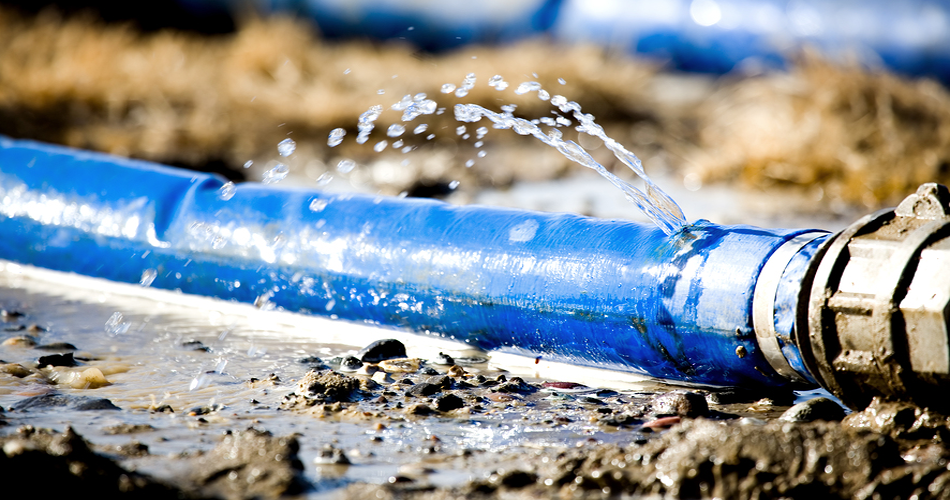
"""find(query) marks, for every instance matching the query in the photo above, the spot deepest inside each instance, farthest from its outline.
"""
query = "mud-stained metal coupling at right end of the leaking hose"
(872, 315)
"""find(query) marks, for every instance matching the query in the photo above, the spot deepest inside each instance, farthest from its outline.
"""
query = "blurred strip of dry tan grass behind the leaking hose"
(847, 135)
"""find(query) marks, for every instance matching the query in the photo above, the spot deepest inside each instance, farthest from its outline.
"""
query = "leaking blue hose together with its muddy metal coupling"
(862, 312)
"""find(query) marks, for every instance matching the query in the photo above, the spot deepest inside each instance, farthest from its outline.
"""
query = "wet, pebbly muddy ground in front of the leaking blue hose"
(381, 423)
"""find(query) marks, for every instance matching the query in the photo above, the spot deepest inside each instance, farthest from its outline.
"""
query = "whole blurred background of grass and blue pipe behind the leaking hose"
(775, 112)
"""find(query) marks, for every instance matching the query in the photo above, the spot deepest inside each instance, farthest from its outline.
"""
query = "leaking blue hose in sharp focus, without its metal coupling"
(605, 293)
